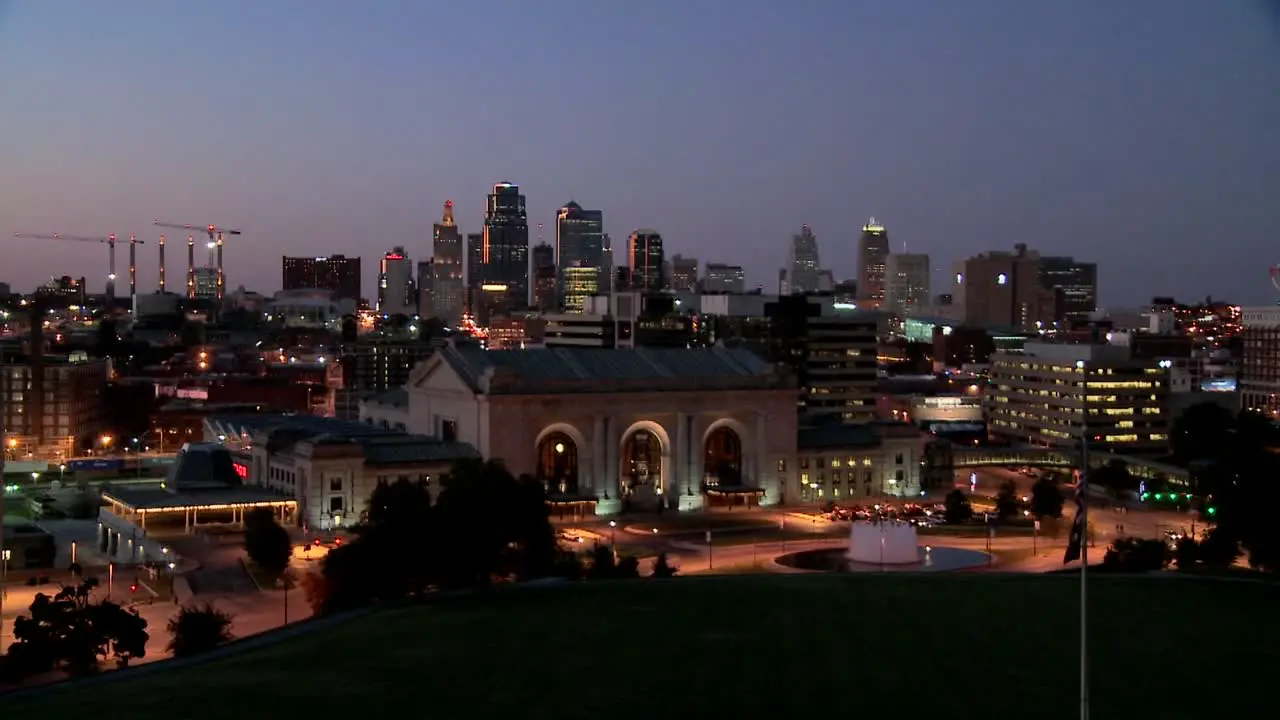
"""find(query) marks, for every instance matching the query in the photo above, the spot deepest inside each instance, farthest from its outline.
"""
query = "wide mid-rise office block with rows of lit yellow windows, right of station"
(1040, 397)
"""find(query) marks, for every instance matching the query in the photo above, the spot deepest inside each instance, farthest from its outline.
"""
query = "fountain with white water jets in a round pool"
(885, 546)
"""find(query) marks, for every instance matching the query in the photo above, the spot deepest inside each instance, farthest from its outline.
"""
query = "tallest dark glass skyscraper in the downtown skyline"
(505, 256)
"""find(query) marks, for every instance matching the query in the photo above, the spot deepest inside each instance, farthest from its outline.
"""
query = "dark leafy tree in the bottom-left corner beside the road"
(68, 632)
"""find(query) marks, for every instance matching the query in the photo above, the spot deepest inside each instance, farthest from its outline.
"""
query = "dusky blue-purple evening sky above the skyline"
(1139, 134)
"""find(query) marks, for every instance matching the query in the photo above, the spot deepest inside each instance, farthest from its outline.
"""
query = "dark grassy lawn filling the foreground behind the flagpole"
(744, 646)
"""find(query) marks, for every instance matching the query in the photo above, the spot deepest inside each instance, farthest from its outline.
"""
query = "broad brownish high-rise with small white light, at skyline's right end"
(1003, 290)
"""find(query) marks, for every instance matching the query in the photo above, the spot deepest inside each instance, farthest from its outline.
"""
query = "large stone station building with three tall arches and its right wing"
(637, 429)
